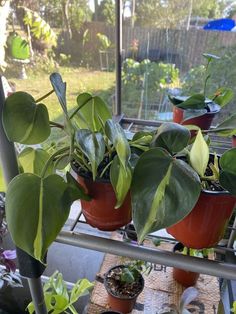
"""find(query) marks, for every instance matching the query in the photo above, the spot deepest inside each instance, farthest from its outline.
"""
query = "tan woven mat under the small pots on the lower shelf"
(160, 288)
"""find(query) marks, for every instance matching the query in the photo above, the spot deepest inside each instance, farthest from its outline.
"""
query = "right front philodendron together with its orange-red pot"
(183, 188)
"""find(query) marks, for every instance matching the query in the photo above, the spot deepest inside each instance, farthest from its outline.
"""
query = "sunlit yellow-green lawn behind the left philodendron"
(78, 80)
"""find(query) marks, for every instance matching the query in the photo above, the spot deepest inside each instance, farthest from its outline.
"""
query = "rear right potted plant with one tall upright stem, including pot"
(198, 109)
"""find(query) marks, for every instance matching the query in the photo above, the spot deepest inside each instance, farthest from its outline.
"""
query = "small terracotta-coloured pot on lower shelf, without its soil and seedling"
(121, 304)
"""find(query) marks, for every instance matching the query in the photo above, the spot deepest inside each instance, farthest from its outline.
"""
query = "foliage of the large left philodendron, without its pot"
(38, 200)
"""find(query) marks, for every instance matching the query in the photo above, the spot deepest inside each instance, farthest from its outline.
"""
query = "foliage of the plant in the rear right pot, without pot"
(198, 104)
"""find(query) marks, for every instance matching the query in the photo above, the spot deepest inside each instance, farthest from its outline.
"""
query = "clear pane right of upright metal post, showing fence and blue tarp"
(163, 46)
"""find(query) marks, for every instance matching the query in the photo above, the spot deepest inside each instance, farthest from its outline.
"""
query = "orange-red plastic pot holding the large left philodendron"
(100, 212)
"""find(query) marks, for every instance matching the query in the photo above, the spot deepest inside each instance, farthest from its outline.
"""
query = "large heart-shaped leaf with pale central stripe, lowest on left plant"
(36, 210)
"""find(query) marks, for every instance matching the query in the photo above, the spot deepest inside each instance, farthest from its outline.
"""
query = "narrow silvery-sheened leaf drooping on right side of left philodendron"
(116, 135)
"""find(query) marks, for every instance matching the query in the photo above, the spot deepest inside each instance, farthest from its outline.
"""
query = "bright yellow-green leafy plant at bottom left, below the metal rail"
(57, 297)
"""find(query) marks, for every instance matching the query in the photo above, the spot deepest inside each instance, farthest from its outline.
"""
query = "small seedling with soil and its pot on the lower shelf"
(123, 284)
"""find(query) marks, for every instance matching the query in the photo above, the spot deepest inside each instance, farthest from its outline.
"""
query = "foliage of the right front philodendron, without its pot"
(173, 173)
